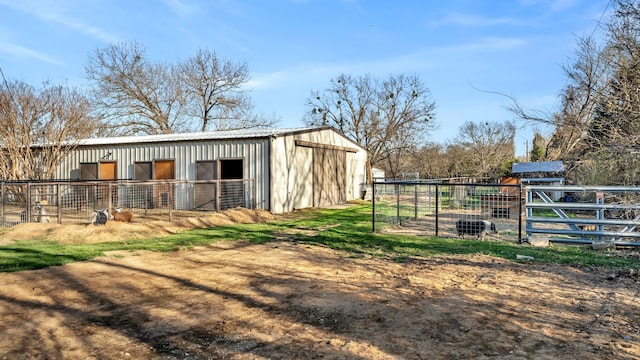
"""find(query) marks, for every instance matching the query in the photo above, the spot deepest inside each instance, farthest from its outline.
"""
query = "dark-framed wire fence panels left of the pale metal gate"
(449, 209)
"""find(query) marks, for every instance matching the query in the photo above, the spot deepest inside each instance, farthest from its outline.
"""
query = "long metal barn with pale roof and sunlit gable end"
(290, 168)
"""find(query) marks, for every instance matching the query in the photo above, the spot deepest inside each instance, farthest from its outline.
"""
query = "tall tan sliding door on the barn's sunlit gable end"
(329, 180)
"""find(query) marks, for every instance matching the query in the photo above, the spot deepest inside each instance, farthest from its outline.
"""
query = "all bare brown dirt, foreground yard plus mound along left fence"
(287, 300)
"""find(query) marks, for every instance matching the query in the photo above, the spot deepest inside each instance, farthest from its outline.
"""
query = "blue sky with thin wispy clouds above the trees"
(516, 47)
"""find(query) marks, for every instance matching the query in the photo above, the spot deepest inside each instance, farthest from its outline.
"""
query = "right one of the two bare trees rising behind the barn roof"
(215, 93)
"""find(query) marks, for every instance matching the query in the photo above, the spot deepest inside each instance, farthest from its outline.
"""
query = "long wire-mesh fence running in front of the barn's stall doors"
(75, 202)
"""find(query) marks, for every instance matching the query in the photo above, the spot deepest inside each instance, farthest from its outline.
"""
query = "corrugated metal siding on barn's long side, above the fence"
(255, 153)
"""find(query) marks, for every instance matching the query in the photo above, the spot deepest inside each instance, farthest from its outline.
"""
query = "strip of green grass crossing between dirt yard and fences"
(347, 230)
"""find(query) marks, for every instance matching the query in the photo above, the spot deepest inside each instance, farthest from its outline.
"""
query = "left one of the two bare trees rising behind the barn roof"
(136, 96)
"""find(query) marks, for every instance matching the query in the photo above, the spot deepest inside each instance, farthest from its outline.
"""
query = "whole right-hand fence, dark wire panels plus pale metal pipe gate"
(564, 214)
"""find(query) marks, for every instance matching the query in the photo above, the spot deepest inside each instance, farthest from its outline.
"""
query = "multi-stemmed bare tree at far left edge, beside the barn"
(39, 127)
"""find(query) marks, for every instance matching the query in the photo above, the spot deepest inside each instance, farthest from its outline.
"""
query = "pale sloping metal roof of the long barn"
(209, 135)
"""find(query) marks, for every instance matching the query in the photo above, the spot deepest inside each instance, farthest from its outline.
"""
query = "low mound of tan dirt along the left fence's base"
(118, 231)
